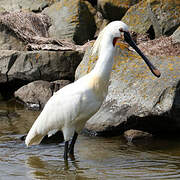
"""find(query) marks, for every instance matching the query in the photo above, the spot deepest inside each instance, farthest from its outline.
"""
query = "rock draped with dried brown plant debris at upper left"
(29, 31)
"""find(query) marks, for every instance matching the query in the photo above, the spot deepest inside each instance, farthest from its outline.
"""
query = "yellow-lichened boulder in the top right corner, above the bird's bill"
(158, 18)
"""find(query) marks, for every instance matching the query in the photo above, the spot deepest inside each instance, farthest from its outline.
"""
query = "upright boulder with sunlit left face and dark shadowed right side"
(71, 20)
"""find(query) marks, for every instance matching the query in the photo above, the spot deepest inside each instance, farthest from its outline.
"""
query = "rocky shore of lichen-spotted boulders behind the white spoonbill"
(46, 44)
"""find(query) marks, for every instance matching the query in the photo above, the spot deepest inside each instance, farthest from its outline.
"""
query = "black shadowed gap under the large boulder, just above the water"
(156, 125)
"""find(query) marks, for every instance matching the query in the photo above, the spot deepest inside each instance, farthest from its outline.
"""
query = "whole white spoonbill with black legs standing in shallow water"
(70, 107)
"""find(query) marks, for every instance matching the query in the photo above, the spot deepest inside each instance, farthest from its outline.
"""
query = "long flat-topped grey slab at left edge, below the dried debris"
(19, 67)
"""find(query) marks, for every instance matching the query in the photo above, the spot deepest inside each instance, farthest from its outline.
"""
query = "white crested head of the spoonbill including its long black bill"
(115, 30)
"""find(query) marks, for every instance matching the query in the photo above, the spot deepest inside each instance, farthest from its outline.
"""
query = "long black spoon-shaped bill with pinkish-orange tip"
(129, 40)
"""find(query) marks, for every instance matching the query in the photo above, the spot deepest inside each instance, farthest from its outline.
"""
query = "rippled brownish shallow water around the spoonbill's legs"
(96, 158)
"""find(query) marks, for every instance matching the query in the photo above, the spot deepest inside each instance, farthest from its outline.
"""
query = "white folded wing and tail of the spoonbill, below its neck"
(72, 104)
